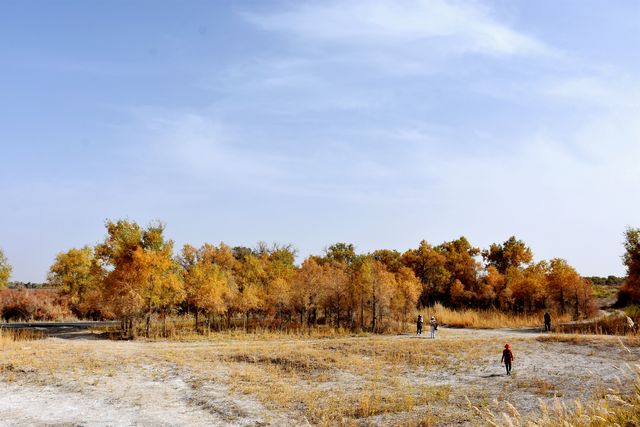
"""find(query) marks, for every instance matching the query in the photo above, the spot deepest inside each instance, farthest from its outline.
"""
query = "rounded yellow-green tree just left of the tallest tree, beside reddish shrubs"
(73, 274)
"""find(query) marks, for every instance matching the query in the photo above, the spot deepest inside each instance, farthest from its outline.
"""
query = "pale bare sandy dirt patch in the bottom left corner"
(156, 396)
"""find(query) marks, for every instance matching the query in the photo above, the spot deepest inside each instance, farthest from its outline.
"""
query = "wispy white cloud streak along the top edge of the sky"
(462, 27)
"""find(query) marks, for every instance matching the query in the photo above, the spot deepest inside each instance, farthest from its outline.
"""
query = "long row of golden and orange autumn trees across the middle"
(135, 274)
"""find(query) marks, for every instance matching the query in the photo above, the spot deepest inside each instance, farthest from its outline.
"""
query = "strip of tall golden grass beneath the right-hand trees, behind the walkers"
(485, 319)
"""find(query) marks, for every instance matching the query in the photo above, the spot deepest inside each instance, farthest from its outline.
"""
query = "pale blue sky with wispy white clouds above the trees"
(379, 123)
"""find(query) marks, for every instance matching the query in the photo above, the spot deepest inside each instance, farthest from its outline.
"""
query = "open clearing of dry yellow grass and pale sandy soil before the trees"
(370, 380)
